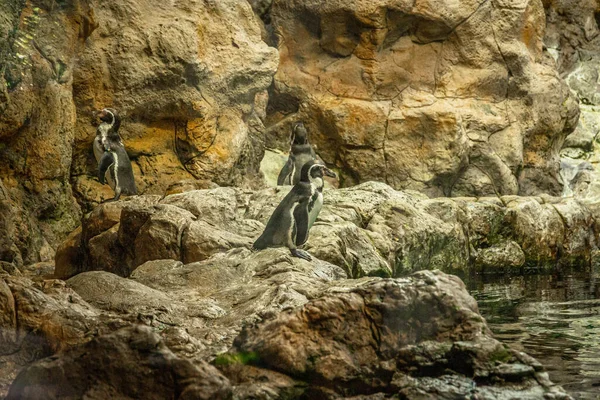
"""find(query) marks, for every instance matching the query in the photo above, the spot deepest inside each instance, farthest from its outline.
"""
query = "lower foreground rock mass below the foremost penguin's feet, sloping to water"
(300, 332)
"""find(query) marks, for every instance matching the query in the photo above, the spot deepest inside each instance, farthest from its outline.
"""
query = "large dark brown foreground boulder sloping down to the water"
(415, 336)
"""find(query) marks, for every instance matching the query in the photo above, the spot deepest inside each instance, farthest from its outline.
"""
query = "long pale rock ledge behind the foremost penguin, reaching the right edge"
(367, 230)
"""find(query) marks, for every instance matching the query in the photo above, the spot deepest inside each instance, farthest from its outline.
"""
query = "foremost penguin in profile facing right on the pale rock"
(291, 221)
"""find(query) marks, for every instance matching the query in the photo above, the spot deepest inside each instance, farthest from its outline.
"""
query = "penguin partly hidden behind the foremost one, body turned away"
(301, 152)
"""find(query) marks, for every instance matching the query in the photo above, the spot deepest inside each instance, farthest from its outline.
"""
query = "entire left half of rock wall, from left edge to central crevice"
(189, 79)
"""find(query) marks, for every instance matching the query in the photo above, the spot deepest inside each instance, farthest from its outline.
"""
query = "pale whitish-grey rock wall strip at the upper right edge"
(573, 37)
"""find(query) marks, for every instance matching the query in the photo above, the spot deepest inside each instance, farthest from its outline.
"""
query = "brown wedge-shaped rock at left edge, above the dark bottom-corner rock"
(39, 319)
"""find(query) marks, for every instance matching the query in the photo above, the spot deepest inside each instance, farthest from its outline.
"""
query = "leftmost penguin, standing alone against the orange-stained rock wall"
(111, 156)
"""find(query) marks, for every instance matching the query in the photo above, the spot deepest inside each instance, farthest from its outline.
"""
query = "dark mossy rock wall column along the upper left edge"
(37, 125)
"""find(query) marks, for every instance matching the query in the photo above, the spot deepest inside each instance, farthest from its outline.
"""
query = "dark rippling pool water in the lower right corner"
(556, 319)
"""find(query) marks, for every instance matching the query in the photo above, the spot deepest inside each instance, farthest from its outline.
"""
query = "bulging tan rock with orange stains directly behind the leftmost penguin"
(187, 78)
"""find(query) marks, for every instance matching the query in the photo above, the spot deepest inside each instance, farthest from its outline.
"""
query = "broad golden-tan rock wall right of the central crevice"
(449, 98)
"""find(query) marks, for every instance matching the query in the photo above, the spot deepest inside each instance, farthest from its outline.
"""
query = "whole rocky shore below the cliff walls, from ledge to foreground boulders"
(277, 326)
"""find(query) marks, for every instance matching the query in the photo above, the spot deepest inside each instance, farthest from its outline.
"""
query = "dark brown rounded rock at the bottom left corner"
(130, 363)
